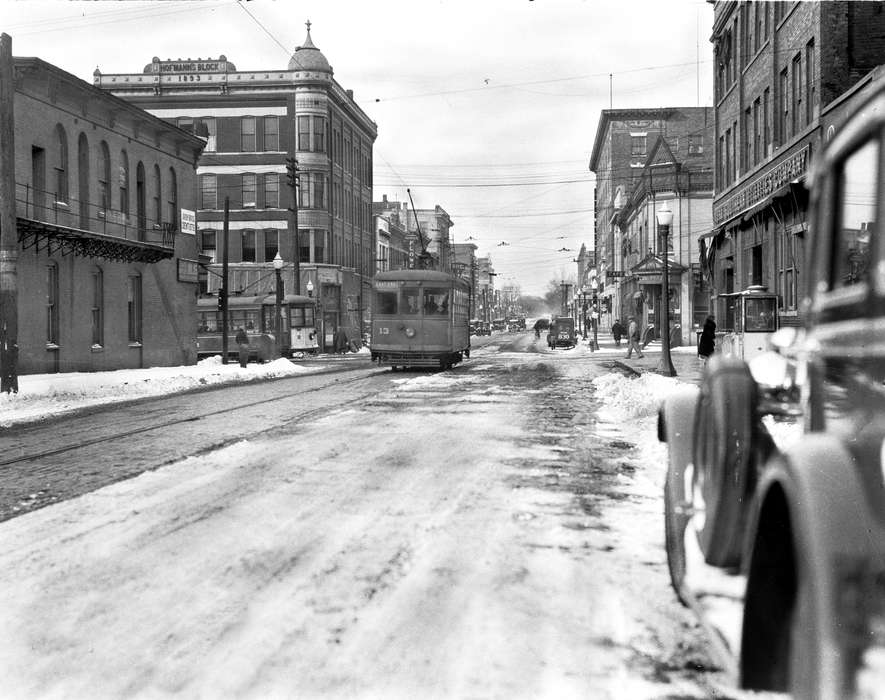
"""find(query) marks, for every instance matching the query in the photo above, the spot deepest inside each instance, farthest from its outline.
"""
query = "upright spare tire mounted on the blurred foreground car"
(723, 457)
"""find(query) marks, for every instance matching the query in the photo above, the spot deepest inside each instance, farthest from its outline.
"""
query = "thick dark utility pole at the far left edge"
(8, 233)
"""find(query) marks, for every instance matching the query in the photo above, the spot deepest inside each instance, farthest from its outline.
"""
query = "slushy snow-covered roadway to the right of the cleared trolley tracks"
(491, 531)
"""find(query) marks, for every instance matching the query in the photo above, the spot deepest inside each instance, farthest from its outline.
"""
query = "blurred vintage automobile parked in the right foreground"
(798, 524)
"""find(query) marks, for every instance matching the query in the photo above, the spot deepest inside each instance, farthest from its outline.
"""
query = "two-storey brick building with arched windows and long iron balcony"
(107, 259)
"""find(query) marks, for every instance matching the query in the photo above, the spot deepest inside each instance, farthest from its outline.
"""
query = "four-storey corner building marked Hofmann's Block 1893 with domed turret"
(270, 133)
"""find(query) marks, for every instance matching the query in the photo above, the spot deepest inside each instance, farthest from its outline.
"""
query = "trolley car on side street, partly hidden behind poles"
(256, 315)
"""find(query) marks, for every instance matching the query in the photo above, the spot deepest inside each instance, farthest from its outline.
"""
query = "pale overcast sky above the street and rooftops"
(487, 108)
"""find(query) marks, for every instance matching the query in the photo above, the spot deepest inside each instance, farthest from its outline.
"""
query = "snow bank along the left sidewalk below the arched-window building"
(44, 395)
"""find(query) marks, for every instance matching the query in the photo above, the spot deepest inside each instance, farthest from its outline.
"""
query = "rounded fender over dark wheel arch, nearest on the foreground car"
(813, 493)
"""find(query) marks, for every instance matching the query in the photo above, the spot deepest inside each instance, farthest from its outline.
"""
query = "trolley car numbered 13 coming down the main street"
(420, 318)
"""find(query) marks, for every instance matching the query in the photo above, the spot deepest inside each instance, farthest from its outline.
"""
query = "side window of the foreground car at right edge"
(856, 210)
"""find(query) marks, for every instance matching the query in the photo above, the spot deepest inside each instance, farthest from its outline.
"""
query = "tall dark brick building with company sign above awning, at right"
(779, 67)
